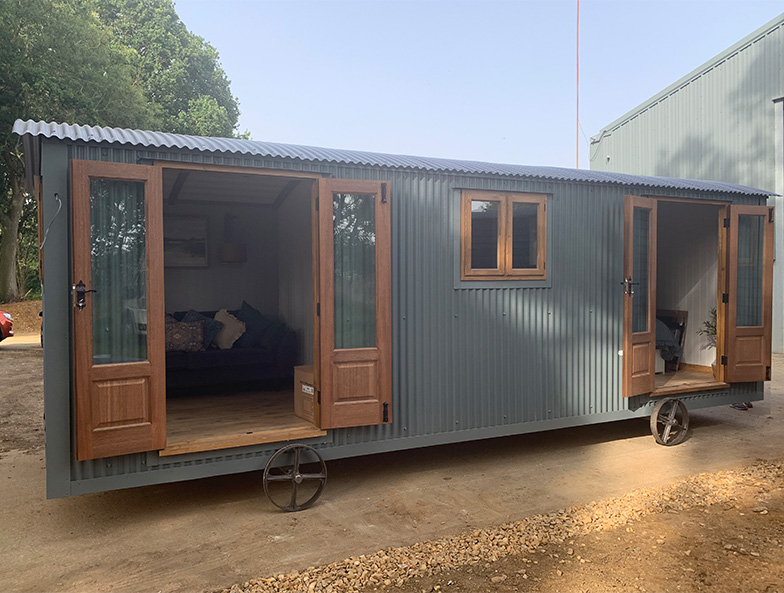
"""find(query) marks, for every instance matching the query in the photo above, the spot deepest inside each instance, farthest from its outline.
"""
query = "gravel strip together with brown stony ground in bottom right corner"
(449, 562)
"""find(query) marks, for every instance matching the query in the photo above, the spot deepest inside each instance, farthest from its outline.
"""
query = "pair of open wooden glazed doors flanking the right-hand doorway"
(743, 299)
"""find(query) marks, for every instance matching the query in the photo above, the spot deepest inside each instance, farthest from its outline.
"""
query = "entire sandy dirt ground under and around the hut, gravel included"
(597, 508)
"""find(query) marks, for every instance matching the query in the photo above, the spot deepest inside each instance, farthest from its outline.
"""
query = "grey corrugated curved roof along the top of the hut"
(355, 157)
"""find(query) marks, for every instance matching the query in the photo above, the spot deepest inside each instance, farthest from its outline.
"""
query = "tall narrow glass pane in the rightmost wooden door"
(751, 231)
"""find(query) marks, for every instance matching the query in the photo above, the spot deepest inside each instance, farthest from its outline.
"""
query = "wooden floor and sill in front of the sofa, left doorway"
(211, 422)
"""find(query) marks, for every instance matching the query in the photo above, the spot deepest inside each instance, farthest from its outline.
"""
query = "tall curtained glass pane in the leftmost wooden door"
(119, 271)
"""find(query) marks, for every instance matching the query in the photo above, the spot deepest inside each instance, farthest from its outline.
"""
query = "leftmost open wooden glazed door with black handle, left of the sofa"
(119, 356)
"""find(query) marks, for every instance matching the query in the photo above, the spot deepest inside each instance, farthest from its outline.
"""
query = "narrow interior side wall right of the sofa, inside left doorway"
(295, 264)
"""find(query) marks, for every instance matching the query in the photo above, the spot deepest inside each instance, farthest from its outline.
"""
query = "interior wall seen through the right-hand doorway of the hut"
(687, 270)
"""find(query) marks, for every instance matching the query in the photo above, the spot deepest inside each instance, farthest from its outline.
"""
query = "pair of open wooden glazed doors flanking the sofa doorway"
(118, 306)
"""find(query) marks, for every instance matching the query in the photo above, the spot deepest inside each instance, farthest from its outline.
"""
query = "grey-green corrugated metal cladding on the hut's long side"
(469, 361)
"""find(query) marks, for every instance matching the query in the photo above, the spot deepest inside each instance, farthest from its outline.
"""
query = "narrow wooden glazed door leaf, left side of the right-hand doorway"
(639, 300)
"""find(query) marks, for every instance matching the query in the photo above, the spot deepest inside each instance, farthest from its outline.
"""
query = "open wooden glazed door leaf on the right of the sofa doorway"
(355, 374)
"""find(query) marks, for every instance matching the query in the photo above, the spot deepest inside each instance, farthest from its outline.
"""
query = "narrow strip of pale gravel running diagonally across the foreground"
(395, 566)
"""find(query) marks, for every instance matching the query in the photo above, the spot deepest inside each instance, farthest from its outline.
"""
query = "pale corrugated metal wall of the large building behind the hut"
(715, 123)
